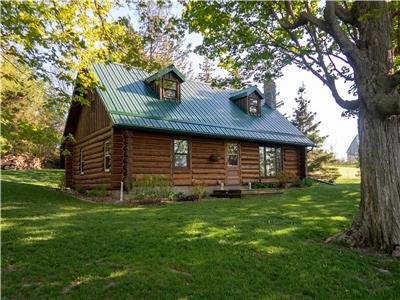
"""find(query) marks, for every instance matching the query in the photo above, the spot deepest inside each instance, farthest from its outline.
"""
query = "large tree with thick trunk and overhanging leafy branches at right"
(351, 41)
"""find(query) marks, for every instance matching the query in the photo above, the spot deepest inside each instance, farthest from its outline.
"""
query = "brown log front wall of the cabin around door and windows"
(152, 154)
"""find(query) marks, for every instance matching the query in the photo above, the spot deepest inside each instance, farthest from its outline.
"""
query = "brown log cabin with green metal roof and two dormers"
(163, 124)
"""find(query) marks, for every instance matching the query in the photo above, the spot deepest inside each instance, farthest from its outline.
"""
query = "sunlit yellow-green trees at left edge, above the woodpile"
(31, 121)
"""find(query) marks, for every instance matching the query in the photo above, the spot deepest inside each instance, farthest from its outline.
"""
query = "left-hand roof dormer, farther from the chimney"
(167, 83)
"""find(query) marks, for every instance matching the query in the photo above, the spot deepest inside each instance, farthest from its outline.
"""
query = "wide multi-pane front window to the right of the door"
(270, 161)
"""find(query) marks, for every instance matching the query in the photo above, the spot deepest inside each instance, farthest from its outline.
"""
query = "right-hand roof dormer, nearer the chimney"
(249, 100)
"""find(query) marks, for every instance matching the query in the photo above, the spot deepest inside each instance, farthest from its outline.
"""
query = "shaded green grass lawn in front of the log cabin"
(54, 246)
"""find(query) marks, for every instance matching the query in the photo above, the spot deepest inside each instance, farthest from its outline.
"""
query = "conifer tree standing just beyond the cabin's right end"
(319, 161)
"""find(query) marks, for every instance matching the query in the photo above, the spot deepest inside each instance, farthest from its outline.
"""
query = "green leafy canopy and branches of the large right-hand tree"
(259, 38)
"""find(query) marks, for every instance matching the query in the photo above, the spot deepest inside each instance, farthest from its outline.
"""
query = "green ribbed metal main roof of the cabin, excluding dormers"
(203, 110)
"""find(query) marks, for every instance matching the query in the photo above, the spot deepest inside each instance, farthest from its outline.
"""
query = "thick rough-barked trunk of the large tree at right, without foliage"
(377, 223)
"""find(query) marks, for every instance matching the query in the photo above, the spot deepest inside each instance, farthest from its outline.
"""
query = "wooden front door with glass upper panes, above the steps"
(232, 163)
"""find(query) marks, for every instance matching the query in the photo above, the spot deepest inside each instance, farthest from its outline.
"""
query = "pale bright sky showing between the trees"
(340, 130)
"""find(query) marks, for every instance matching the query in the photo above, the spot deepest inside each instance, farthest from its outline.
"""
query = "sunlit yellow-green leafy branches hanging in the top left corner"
(58, 39)
